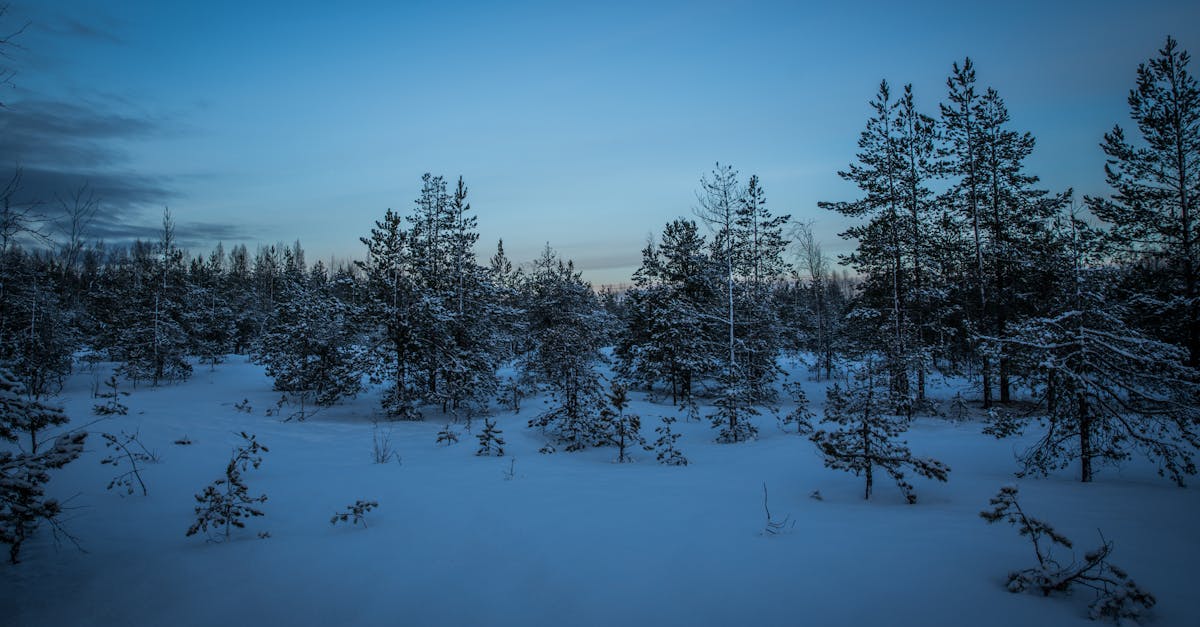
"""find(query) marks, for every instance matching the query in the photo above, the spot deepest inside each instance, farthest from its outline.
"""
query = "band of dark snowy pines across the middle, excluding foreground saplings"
(1079, 317)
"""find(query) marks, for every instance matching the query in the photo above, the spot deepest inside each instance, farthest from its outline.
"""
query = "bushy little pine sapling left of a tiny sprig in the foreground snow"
(226, 504)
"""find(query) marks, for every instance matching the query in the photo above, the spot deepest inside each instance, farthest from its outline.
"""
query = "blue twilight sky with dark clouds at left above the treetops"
(585, 126)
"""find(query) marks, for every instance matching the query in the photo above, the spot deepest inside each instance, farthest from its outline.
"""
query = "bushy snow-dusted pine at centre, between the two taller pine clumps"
(566, 327)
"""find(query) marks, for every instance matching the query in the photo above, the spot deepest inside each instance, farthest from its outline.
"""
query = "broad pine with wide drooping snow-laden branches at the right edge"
(1105, 391)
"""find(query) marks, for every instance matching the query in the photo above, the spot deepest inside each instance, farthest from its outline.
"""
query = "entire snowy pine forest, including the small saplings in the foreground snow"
(1072, 323)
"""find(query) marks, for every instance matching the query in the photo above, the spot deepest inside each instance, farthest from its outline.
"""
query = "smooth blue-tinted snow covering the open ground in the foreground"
(572, 539)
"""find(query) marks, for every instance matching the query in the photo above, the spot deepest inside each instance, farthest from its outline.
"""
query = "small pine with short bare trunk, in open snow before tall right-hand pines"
(866, 433)
